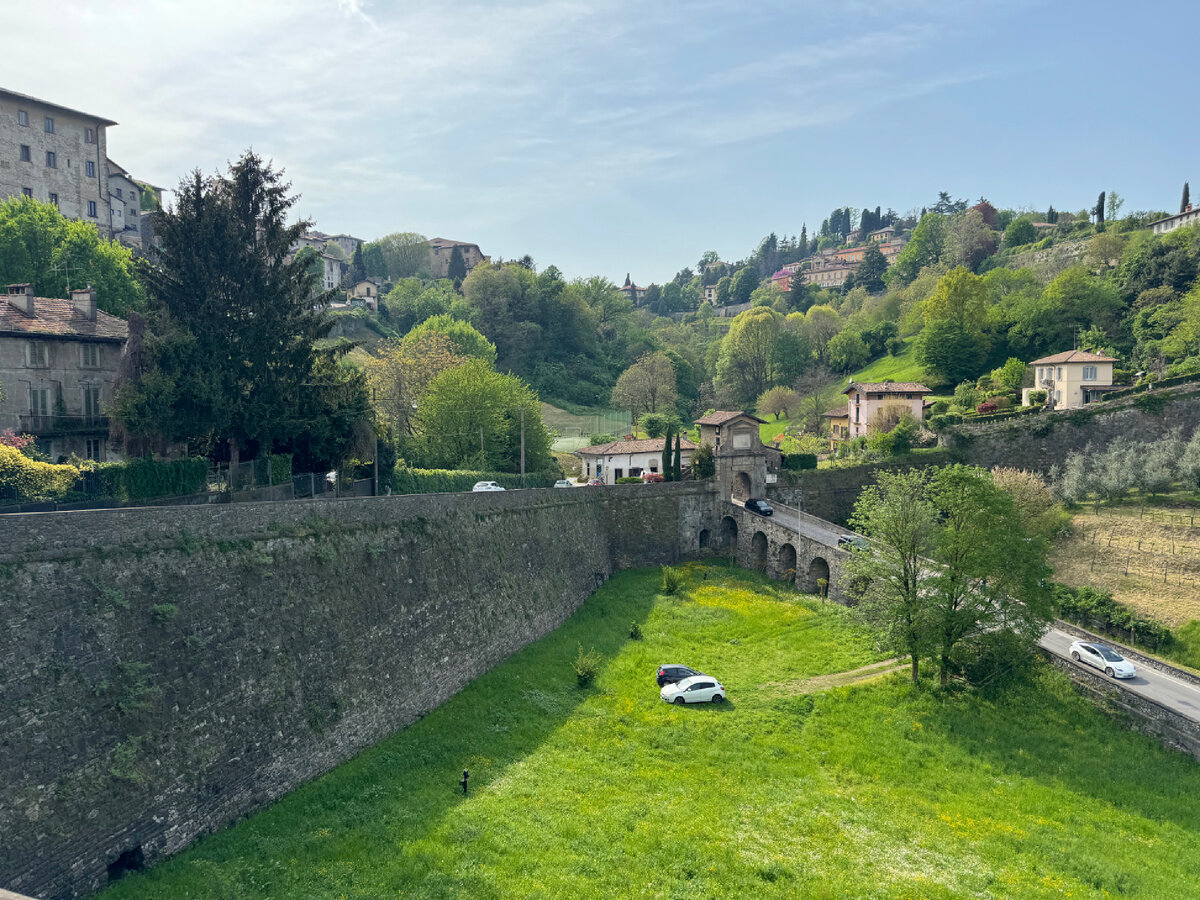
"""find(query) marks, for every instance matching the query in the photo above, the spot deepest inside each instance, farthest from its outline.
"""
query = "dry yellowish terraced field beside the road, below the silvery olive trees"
(1148, 557)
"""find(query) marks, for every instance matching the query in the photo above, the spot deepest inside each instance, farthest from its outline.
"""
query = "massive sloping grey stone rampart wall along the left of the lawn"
(165, 673)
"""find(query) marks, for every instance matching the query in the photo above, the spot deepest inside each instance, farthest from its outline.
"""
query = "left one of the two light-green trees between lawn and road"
(898, 518)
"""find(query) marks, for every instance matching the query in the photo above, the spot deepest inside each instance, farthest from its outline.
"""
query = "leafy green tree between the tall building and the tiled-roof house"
(39, 247)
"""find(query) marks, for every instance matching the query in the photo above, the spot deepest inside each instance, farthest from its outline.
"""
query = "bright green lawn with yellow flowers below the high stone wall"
(795, 788)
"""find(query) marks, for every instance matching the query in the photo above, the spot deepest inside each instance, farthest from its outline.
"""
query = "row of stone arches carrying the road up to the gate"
(790, 545)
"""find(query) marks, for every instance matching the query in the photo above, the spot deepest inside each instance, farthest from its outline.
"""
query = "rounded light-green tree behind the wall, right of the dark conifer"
(471, 418)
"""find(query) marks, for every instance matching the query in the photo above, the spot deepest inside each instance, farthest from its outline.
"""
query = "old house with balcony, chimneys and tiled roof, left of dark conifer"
(58, 362)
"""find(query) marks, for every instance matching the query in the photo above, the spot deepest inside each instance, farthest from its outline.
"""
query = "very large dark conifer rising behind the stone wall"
(230, 358)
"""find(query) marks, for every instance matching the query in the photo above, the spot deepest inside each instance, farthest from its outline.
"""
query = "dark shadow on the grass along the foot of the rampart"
(399, 791)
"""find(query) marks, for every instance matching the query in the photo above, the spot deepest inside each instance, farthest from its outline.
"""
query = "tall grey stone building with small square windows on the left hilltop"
(59, 155)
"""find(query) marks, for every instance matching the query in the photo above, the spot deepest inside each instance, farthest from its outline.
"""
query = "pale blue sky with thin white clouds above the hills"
(609, 136)
